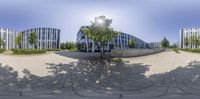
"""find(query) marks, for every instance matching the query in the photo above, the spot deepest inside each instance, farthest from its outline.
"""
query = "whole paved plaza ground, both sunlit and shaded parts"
(164, 75)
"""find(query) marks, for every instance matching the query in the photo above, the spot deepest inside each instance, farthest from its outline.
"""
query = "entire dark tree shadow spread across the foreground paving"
(105, 78)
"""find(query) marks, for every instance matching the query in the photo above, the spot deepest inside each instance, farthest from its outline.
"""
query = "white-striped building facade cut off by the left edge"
(8, 37)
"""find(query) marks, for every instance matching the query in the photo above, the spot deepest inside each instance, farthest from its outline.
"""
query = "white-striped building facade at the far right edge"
(188, 34)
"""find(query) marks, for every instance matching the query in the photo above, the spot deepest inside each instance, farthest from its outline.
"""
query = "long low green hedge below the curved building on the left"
(28, 51)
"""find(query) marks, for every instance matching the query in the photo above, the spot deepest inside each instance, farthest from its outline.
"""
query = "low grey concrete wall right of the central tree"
(133, 52)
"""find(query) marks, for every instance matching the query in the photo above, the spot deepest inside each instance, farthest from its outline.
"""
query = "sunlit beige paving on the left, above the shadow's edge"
(36, 64)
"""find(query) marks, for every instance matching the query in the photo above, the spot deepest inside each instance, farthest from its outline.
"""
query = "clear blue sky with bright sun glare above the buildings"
(149, 20)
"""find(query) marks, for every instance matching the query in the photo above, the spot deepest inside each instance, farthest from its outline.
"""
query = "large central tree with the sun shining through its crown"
(100, 31)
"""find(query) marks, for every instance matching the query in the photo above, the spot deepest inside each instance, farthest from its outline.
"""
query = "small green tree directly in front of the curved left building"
(32, 39)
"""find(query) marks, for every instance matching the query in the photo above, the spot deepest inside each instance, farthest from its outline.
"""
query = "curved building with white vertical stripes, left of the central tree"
(47, 38)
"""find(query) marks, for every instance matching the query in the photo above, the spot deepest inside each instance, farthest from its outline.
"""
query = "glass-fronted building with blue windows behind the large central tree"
(120, 42)
